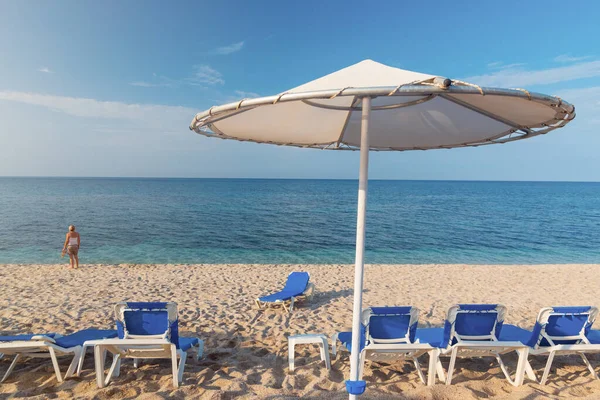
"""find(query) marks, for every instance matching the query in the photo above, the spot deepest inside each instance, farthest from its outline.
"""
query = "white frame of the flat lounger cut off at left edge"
(41, 346)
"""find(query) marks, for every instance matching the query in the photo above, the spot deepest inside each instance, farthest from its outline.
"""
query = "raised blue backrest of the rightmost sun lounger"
(562, 325)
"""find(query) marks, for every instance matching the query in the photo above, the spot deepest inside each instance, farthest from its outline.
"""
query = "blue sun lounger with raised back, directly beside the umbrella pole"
(388, 334)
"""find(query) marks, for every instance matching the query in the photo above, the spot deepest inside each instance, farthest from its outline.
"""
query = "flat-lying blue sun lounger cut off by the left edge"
(50, 346)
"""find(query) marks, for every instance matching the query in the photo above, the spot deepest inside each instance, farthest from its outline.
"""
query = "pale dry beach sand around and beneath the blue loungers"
(246, 349)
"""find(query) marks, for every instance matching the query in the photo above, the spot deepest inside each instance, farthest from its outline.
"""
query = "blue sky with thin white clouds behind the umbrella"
(109, 88)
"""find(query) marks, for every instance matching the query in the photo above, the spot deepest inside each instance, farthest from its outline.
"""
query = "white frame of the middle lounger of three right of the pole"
(485, 346)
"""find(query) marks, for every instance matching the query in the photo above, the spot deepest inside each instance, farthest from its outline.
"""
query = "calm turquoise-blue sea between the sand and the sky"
(131, 220)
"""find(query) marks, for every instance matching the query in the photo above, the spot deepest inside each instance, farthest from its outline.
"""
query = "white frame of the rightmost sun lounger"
(580, 348)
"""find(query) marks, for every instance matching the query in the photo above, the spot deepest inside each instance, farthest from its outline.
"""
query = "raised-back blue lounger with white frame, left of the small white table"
(146, 330)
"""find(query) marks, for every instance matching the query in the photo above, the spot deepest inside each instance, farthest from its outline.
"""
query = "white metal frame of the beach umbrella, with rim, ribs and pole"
(429, 89)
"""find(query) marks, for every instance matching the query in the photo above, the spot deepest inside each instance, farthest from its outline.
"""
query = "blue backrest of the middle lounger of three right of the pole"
(479, 322)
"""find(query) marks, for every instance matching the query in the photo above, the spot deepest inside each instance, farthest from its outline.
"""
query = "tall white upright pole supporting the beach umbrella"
(360, 242)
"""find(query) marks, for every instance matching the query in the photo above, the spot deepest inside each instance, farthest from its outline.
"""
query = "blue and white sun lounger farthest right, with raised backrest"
(559, 331)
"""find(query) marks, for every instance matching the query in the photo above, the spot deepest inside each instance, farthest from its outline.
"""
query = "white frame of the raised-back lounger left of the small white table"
(138, 347)
